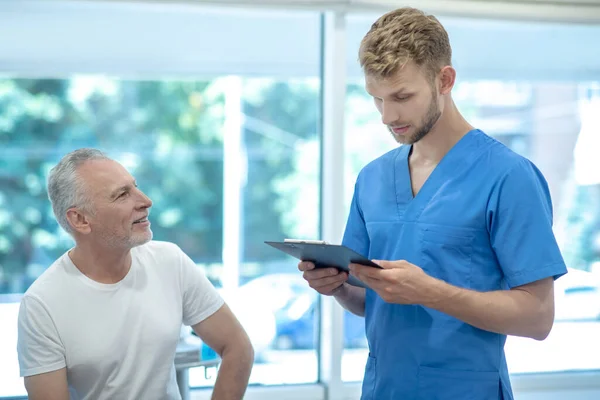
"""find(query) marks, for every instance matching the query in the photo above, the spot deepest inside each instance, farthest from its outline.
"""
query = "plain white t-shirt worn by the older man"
(117, 341)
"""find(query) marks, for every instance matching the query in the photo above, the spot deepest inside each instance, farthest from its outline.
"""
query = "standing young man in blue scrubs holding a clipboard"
(462, 226)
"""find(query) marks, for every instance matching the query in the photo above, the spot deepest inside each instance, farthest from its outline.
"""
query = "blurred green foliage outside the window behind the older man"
(169, 134)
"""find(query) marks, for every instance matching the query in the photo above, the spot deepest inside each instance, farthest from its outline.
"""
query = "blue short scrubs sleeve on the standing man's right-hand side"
(520, 224)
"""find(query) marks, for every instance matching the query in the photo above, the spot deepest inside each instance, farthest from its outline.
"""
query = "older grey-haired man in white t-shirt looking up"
(104, 320)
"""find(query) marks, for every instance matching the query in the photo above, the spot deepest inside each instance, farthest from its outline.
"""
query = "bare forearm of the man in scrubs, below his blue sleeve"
(510, 312)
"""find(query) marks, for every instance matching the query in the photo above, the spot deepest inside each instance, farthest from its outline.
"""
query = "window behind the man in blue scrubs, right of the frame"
(550, 118)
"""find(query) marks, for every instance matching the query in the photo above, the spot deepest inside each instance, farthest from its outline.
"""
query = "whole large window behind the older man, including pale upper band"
(226, 152)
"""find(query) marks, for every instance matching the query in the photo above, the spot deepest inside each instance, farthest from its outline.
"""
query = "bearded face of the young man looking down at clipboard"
(408, 103)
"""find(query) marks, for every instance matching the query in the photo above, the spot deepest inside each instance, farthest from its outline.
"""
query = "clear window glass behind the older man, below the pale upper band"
(224, 161)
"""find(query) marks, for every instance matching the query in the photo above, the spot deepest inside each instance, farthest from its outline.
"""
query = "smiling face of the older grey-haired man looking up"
(120, 209)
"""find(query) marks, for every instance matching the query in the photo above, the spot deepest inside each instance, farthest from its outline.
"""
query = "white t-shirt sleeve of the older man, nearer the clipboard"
(200, 298)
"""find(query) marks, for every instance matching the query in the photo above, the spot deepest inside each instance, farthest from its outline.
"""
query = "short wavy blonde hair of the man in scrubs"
(401, 36)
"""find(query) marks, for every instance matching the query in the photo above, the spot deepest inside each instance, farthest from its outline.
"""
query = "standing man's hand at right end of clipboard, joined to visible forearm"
(397, 282)
